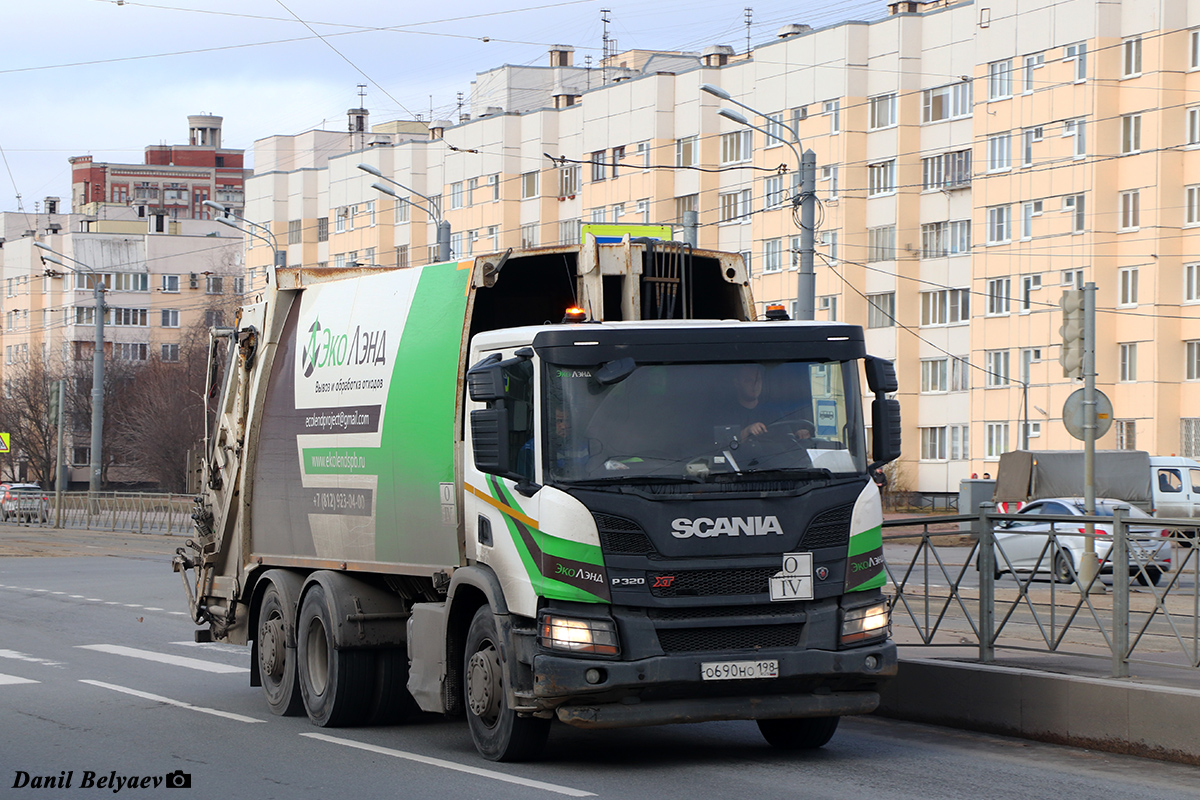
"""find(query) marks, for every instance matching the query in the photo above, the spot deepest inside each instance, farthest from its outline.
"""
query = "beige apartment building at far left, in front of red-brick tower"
(163, 278)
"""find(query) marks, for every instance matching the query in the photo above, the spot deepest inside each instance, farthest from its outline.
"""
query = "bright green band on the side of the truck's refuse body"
(419, 424)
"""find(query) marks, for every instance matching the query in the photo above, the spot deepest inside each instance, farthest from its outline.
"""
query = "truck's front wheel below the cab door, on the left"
(500, 735)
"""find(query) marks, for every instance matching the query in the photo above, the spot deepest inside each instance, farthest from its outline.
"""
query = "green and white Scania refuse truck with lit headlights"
(574, 484)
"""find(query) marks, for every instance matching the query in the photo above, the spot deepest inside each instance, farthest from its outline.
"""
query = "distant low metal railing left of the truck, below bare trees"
(141, 513)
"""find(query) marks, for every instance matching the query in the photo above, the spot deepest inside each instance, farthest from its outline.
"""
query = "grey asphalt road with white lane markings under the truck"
(99, 681)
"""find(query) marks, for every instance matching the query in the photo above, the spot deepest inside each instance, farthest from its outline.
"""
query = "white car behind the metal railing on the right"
(1024, 542)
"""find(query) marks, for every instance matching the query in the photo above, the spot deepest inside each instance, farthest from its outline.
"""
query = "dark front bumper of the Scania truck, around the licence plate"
(669, 689)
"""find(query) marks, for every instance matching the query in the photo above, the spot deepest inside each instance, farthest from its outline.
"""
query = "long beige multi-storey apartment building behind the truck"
(974, 160)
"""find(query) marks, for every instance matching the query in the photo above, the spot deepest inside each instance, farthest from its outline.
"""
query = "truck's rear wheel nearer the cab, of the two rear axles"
(337, 685)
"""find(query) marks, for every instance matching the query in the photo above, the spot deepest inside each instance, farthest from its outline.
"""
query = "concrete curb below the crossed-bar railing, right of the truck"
(1094, 713)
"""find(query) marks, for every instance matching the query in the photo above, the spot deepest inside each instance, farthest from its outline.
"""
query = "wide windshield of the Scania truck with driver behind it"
(688, 422)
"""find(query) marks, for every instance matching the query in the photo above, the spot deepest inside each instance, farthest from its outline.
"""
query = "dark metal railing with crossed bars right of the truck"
(958, 584)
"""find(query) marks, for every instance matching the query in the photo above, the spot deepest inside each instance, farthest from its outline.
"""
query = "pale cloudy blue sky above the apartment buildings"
(110, 77)
